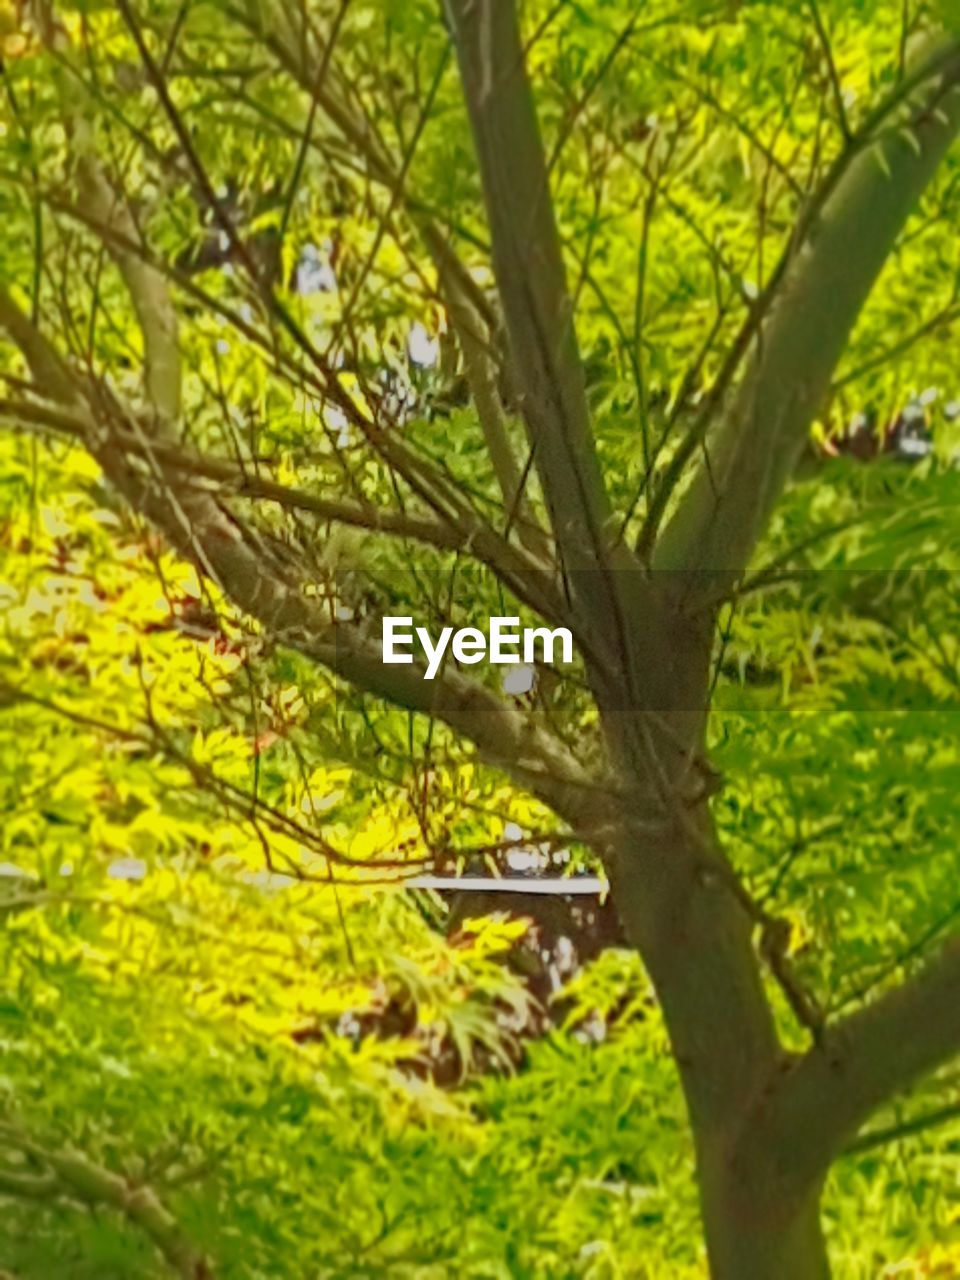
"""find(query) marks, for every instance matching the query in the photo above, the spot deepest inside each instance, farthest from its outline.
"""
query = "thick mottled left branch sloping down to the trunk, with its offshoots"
(143, 458)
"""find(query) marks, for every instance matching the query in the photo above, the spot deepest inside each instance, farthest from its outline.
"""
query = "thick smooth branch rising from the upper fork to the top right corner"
(828, 278)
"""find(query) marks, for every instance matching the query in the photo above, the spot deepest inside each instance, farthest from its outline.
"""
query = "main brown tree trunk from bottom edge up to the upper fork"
(685, 912)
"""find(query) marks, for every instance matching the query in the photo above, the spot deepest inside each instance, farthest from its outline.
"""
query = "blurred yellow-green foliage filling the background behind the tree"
(213, 984)
